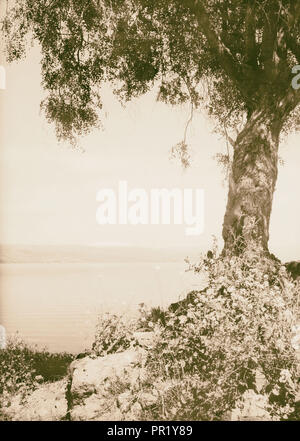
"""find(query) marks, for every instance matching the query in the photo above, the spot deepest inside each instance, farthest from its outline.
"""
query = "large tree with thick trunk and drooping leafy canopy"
(234, 57)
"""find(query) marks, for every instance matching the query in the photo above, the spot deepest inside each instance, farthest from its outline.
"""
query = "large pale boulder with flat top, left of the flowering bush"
(95, 383)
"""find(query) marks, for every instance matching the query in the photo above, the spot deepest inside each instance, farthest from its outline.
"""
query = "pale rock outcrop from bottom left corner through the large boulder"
(97, 388)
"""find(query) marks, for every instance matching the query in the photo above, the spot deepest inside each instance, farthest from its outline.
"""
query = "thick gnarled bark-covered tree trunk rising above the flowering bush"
(252, 184)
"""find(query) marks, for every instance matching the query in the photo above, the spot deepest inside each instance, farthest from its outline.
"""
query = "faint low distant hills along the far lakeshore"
(93, 254)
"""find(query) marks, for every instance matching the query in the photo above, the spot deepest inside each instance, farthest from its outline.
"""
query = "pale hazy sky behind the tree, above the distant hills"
(48, 190)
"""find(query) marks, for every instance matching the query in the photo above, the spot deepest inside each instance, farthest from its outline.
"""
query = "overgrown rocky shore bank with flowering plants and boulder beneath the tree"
(228, 351)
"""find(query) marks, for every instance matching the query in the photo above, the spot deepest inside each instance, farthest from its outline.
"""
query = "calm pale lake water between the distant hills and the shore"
(56, 305)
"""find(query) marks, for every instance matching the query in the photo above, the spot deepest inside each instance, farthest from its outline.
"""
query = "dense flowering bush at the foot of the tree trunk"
(218, 341)
